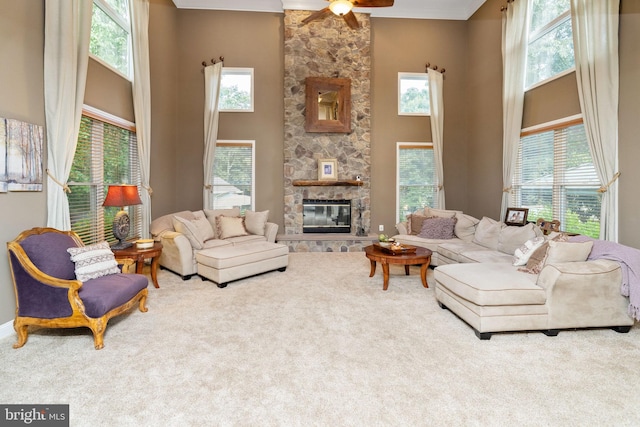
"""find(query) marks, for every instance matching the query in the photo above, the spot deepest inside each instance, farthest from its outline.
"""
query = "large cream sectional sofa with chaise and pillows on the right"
(551, 287)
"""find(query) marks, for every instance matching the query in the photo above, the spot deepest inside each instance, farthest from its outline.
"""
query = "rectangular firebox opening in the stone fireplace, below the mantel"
(326, 216)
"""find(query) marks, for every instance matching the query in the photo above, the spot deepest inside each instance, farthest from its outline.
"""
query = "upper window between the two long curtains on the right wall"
(550, 41)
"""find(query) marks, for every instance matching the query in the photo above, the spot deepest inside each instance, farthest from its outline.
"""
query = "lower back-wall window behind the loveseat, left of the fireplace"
(234, 175)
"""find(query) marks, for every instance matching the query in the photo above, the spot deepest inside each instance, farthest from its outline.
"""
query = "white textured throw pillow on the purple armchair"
(93, 261)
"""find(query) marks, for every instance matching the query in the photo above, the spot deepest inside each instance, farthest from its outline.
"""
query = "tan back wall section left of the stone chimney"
(204, 35)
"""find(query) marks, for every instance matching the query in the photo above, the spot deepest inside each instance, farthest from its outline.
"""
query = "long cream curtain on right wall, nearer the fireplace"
(514, 50)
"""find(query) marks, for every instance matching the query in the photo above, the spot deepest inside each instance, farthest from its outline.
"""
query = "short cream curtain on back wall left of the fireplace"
(212, 76)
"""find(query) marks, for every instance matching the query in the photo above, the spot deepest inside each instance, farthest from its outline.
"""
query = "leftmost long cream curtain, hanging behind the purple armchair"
(66, 54)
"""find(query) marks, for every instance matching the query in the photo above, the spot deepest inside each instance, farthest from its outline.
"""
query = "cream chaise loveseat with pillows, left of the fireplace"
(219, 245)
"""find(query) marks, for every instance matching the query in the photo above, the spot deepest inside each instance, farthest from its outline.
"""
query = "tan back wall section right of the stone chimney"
(406, 45)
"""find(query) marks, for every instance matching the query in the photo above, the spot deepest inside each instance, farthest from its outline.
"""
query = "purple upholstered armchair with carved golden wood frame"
(49, 295)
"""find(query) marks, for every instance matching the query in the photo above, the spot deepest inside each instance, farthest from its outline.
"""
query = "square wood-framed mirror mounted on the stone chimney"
(328, 105)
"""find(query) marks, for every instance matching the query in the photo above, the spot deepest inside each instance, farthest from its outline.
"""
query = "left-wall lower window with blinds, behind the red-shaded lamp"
(107, 153)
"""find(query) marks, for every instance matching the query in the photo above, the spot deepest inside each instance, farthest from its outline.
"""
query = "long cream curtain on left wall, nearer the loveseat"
(142, 101)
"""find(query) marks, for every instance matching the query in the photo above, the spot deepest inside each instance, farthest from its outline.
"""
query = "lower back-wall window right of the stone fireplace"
(416, 178)
